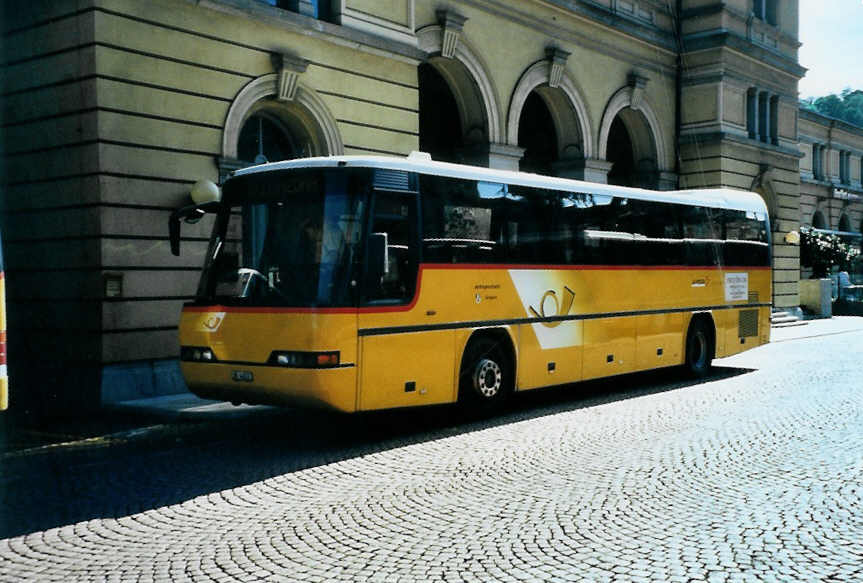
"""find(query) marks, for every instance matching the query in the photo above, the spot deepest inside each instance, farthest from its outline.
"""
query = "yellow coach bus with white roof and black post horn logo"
(362, 283)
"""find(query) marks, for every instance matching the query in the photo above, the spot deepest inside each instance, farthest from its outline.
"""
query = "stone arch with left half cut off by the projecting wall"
(472, 87)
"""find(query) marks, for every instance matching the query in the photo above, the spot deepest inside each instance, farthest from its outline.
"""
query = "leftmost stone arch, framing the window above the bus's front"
(306, 113)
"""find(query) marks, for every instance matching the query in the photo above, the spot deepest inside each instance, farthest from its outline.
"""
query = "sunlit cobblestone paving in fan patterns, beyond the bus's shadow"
(752, 477)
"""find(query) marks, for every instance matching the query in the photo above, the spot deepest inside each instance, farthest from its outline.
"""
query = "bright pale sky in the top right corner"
(832, 35)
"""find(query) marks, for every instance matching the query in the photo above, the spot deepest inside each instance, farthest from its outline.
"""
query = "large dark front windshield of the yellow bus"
(286, 239)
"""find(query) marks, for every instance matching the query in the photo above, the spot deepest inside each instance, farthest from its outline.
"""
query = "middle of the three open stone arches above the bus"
(565, 104)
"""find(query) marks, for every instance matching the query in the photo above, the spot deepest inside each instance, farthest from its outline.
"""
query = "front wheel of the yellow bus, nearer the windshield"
(486, 377)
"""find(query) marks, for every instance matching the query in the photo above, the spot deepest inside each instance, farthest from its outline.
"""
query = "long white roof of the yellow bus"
(711, 197)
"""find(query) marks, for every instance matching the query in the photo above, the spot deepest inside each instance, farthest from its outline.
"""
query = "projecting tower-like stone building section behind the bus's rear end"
(740, 115)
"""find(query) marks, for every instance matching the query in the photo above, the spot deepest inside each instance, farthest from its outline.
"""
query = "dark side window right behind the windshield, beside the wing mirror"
(395, 220)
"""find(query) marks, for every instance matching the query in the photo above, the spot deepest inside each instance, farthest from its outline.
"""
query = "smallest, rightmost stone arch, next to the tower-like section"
(642, 124)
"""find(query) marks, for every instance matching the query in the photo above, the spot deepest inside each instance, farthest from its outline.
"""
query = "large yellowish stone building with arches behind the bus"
(112, 109)
